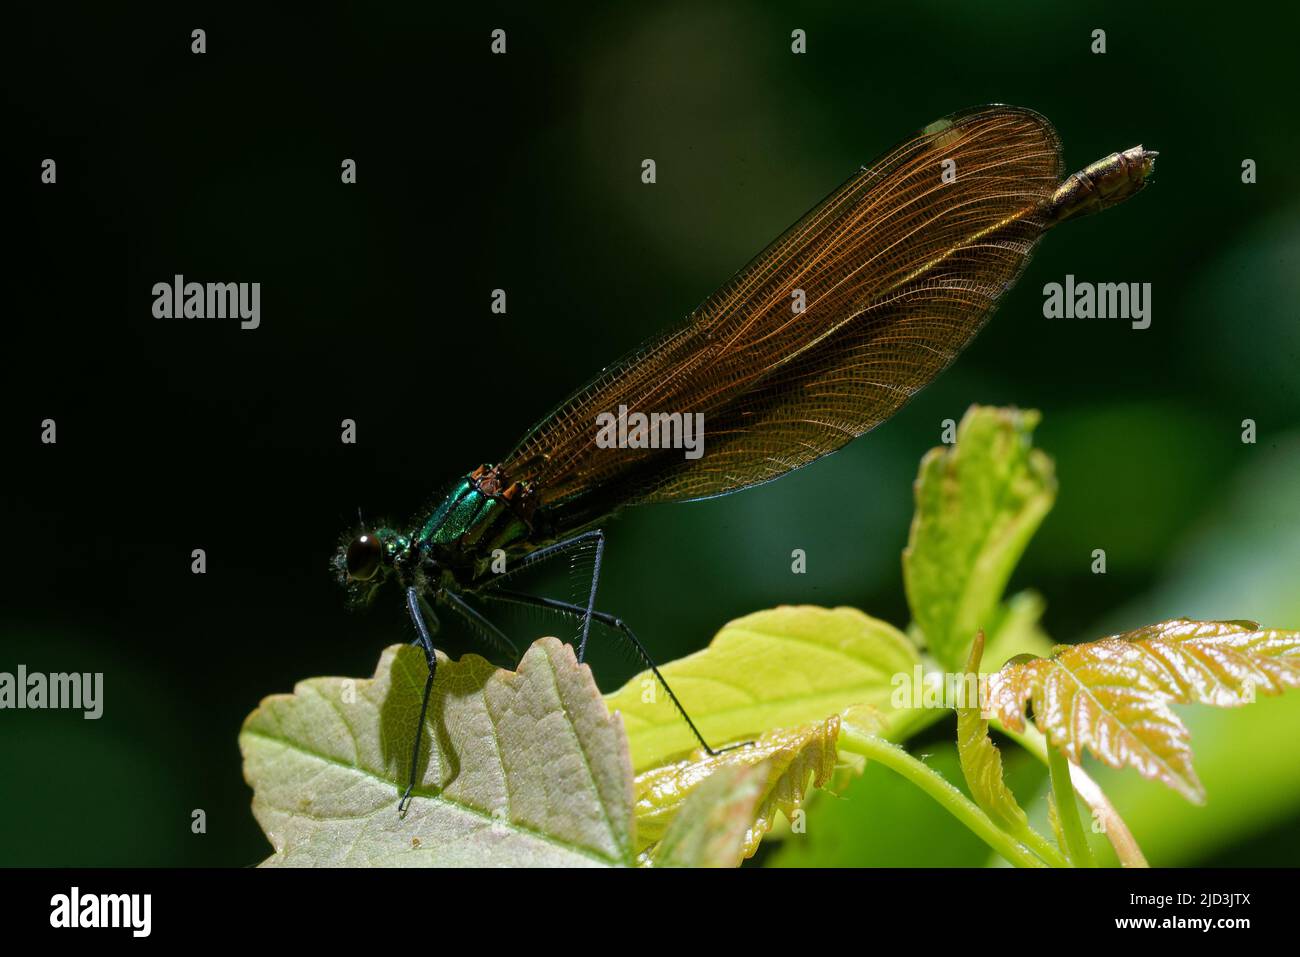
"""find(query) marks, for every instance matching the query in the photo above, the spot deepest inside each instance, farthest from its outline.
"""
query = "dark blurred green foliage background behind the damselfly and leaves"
(523, 174)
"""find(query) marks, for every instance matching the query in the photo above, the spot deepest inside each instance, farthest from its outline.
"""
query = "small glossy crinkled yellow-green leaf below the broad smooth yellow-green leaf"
(794, 761)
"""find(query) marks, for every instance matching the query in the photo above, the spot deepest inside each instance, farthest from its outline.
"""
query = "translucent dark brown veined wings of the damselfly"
(900, 270)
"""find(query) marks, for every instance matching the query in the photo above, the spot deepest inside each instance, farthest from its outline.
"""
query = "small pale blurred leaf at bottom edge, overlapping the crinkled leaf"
(716, 821)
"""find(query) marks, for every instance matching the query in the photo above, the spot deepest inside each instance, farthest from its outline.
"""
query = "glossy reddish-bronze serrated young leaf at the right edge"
(1113, 696)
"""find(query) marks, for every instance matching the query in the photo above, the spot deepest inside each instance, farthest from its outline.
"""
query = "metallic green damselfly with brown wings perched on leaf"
(821, 339)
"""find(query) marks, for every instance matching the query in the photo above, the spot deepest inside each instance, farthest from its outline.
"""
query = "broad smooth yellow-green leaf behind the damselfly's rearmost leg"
(775, 669)
